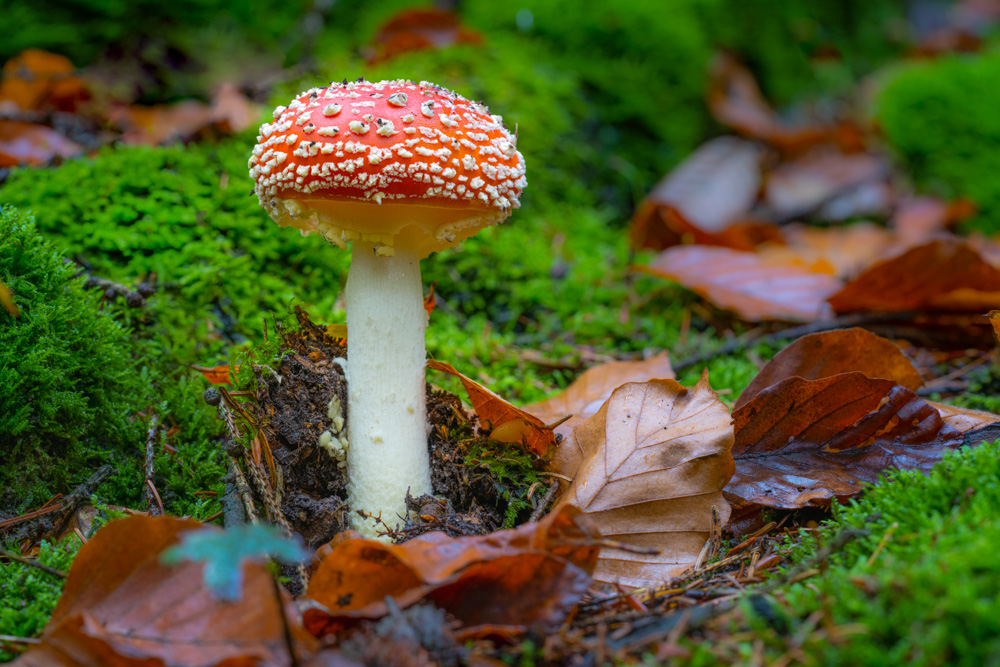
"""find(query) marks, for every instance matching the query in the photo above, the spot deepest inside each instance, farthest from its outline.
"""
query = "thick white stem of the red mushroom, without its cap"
(386, 415)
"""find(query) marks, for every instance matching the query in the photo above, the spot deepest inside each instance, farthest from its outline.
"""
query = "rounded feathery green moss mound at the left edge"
(67, 400)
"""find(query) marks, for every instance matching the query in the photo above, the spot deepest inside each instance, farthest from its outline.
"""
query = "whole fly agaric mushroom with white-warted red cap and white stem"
(401, 170)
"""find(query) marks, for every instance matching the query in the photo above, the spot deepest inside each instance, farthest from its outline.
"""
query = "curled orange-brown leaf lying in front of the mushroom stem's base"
(530, 576)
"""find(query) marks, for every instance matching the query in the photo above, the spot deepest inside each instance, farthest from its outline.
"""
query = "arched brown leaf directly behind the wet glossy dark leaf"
(821, 355)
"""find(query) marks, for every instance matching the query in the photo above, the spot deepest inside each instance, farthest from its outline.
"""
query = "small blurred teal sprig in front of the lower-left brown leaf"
(223, 553)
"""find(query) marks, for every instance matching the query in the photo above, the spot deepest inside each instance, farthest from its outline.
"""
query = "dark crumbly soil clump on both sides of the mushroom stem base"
(292, 404)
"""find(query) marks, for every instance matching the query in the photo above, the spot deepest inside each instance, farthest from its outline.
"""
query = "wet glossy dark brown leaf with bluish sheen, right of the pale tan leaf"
(805, 442)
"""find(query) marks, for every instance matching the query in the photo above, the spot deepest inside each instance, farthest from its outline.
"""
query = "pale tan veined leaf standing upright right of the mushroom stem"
(648, 468)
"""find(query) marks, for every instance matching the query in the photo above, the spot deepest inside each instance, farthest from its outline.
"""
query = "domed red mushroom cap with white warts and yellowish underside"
(389, 163)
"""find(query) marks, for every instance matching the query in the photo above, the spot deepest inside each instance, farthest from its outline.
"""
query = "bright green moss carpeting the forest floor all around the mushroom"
(601, 113)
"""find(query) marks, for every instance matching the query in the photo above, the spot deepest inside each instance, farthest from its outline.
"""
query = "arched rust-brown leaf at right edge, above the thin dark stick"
(943, 275)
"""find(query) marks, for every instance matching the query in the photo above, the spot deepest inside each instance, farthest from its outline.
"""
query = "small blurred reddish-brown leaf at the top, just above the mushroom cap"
(419, 29)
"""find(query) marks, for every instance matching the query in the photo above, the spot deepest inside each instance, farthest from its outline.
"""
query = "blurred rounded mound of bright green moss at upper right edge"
(940, 117)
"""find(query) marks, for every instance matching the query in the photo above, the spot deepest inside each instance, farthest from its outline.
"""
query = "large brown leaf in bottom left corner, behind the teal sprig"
(122, 607)
